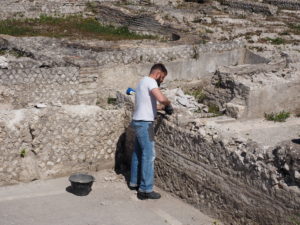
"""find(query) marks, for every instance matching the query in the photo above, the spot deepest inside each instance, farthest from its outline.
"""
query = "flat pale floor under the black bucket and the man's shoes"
(109, 203)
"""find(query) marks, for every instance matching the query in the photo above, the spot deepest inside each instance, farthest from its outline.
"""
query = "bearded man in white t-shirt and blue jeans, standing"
(142, 164)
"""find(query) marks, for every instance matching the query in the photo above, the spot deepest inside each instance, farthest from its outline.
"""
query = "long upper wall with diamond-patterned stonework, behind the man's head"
(87, 74)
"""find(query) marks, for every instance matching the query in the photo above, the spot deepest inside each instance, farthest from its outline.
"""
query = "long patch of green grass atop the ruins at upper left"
(70, 26)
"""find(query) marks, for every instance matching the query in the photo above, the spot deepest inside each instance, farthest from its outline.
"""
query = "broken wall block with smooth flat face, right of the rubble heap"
(249, 91)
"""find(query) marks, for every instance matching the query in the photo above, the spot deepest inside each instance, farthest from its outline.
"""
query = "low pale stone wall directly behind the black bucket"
(57, 141)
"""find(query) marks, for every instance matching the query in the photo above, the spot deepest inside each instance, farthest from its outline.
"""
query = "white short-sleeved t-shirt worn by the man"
(145, 103)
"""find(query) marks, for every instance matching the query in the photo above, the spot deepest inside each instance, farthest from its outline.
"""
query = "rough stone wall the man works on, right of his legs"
(234, 180)
